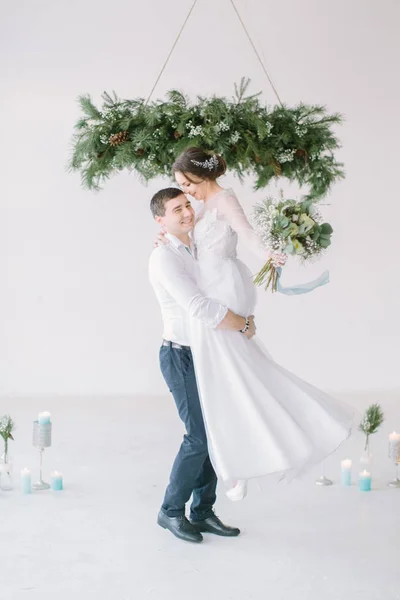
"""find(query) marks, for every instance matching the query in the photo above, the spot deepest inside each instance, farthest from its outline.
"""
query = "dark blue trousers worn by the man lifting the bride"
(192, 472)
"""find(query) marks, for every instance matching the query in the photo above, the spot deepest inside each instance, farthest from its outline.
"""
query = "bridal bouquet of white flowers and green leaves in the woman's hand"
(291, 227)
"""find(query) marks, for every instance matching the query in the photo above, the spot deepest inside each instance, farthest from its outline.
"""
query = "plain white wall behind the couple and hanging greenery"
(77, 315)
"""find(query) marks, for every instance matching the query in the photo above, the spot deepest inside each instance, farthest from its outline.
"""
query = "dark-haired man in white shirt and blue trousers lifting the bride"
(172, 273)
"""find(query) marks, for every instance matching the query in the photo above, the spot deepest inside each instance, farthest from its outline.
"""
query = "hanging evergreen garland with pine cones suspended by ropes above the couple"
(297, 143)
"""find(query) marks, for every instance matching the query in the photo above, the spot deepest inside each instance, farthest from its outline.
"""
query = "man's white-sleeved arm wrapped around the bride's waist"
(168, 270)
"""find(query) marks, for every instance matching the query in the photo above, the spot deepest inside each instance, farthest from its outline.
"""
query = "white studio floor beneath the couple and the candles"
(98, 540)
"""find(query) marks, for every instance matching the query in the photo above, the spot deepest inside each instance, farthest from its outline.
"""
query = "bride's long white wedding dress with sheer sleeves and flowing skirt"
(260, 418)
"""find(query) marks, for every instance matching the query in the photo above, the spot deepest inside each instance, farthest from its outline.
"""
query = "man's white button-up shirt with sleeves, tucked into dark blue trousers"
(172, 273)
